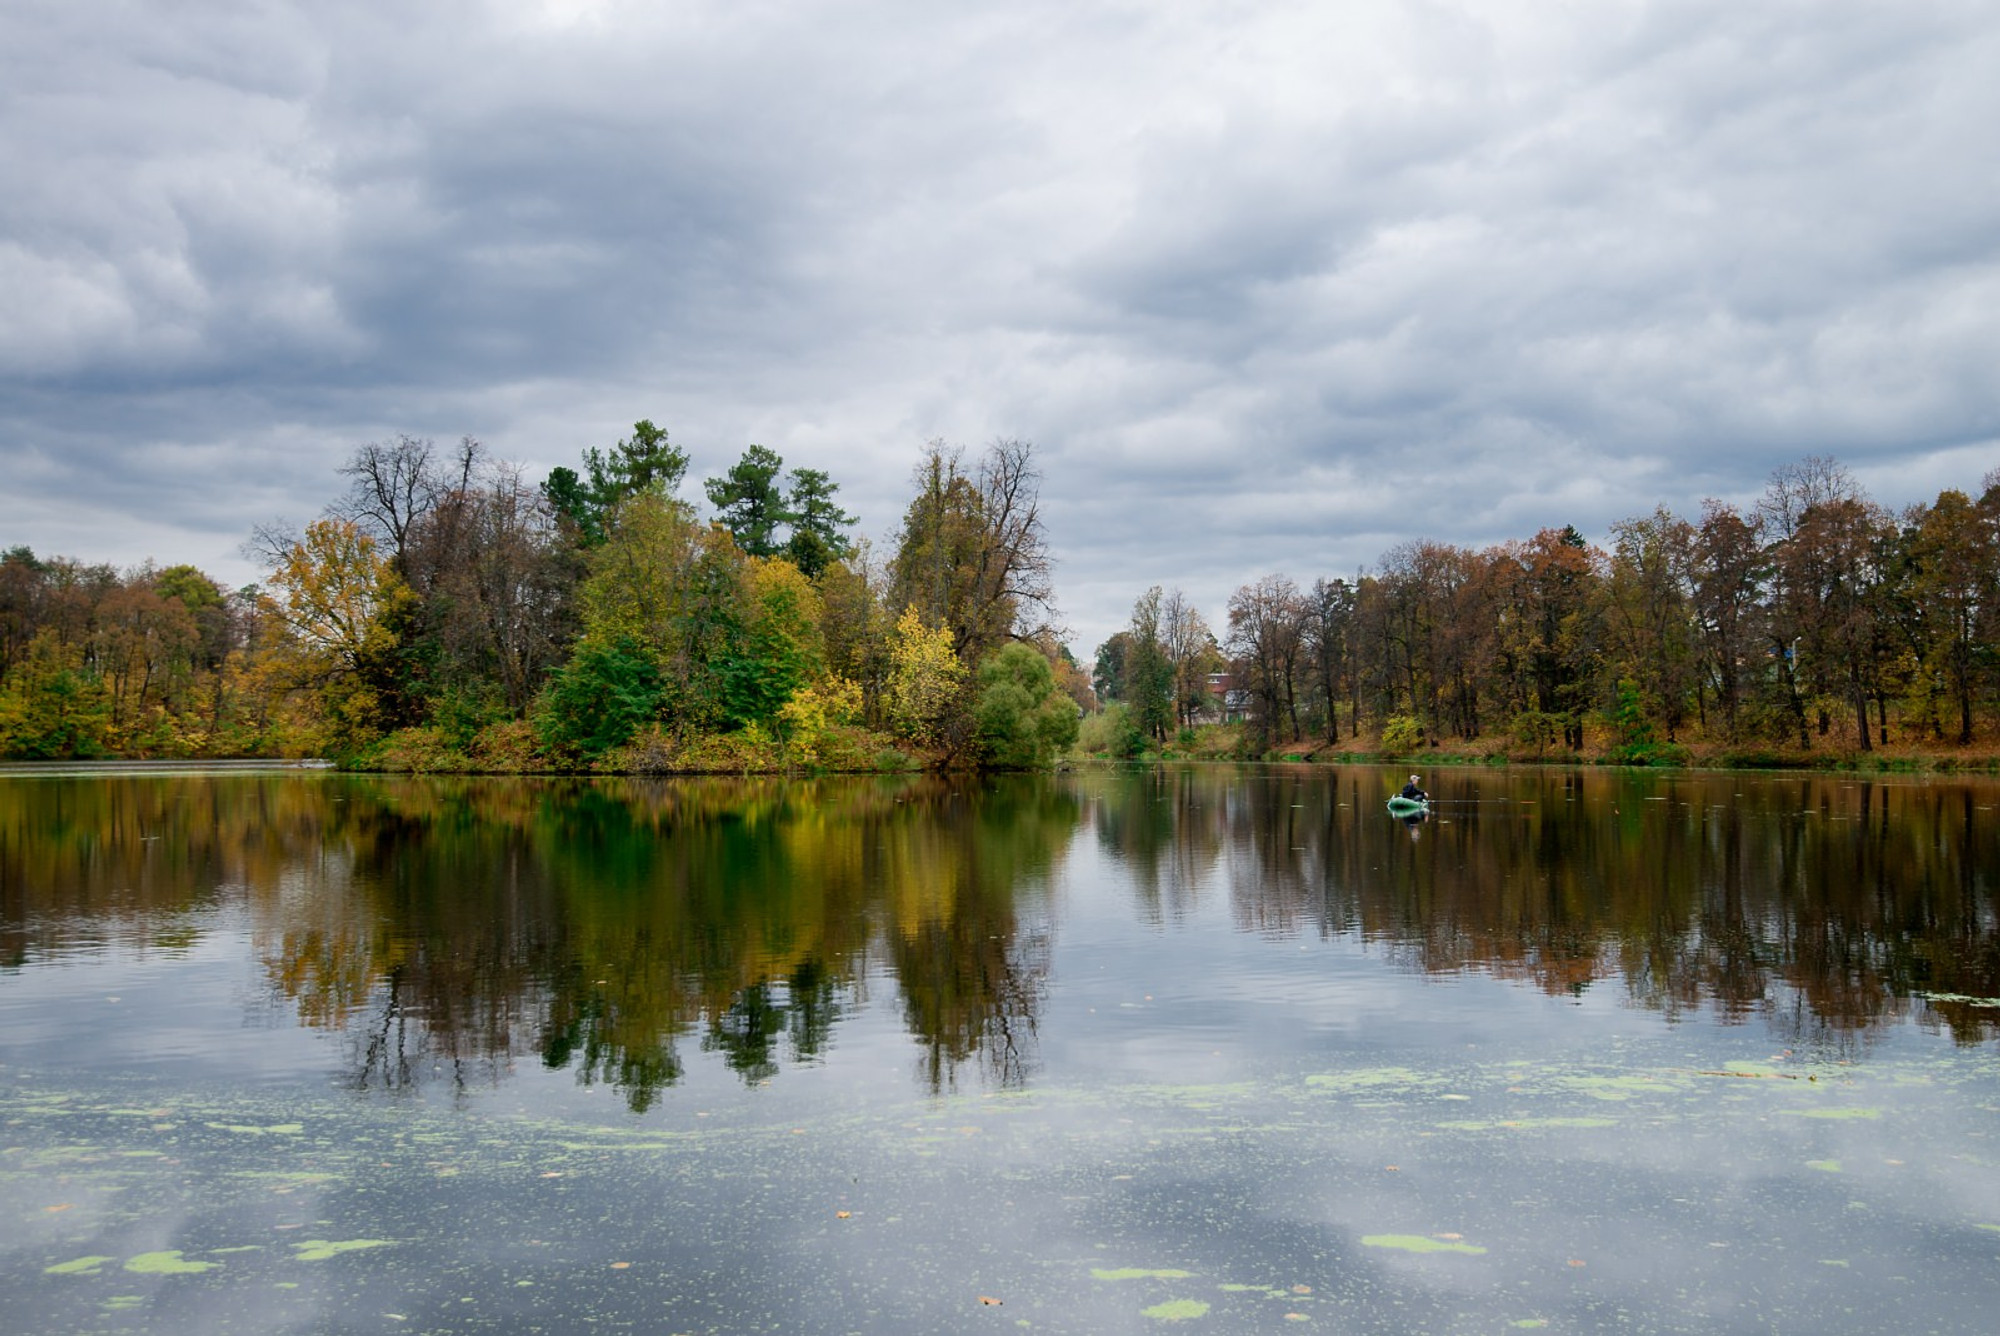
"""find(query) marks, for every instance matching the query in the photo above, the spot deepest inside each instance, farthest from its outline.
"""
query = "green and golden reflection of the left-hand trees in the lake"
(451, 927)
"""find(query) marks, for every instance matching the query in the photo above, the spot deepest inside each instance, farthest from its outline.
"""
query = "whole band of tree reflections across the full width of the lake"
(453, 927)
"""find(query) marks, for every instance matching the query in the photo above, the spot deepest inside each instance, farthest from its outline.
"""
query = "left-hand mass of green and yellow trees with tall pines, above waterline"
(449, 613)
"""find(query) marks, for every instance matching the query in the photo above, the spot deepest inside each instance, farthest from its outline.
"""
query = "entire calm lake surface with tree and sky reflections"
(1157, 1051)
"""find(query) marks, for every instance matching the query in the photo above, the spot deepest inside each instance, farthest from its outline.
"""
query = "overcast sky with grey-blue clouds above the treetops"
(1271, 287)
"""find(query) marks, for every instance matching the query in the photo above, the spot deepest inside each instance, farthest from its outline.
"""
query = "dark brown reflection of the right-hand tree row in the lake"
(1819, 905)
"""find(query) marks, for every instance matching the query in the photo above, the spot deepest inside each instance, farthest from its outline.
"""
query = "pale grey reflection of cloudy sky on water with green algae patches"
(1209, 1089)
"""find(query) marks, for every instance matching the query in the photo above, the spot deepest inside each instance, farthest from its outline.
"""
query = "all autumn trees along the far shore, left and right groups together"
(449, 613)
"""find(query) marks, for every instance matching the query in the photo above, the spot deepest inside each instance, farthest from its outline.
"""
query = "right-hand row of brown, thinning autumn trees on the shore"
(1807, 621)
